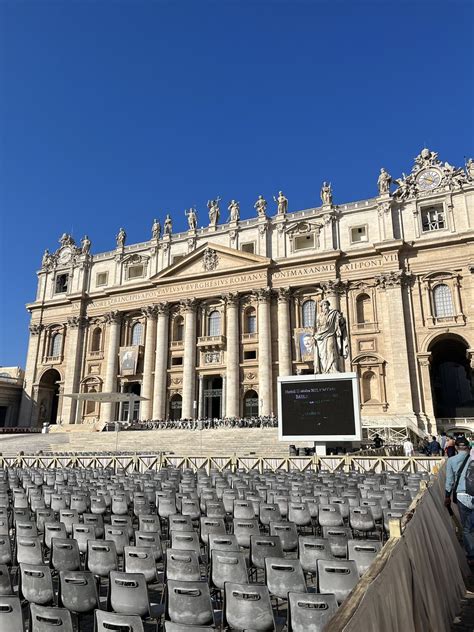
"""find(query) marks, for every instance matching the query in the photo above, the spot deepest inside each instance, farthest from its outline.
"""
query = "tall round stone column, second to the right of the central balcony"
(264, 353)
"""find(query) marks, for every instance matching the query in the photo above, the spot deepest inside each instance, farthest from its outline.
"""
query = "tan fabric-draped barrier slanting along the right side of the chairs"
(416, 582)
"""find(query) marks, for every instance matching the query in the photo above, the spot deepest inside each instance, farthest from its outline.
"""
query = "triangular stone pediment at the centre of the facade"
(210, 260)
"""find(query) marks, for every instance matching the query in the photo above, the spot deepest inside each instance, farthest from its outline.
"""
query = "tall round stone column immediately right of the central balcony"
(233, 351)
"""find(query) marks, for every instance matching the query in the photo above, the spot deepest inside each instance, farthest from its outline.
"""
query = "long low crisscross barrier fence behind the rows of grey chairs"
(152, 462)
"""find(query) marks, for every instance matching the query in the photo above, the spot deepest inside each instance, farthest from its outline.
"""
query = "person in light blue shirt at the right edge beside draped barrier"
(456, 469)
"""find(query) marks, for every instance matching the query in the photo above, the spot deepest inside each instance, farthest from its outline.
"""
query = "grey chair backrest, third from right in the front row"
(189, 603)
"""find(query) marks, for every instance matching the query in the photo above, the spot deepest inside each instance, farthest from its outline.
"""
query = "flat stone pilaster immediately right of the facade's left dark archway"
(73, 355)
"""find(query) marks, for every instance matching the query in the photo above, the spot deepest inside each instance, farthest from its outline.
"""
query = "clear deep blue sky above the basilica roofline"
(113, 113)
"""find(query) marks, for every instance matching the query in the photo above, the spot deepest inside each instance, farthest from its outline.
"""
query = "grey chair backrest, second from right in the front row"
(247, 606)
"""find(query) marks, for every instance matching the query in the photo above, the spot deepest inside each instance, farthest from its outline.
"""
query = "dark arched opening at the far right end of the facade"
(451, 378)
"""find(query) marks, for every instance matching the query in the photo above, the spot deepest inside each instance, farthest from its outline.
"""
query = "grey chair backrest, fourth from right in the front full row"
(128, 594)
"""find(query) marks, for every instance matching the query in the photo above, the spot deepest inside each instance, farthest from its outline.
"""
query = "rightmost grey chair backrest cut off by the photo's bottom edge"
(310, 611)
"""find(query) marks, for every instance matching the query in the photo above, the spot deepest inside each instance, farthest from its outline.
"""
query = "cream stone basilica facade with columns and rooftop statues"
(202, 322)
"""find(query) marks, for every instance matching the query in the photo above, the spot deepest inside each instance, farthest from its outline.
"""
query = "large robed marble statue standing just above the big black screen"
(330, 339)
